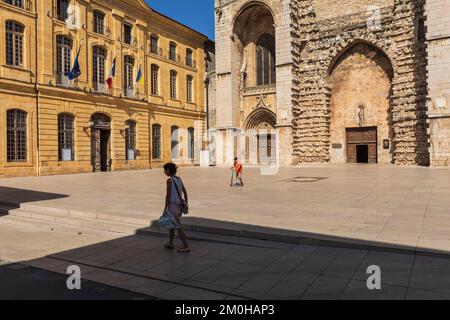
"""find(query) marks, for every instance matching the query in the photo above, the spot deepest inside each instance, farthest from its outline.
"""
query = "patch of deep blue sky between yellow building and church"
(197, 14)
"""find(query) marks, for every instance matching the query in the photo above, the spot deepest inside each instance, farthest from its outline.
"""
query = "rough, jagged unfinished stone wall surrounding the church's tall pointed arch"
(316, 45)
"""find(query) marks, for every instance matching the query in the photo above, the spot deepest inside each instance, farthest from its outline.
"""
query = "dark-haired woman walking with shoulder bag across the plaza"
(175, 203)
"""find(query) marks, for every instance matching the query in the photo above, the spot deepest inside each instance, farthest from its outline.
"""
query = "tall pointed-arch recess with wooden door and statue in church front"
(361, 123)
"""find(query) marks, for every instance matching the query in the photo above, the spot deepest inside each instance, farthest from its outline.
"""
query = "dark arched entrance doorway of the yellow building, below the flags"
(101, 142)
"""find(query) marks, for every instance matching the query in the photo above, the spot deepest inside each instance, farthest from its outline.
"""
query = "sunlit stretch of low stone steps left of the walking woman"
(77, 221)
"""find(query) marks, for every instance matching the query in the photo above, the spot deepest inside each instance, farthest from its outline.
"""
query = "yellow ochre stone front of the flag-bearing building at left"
(35, 88)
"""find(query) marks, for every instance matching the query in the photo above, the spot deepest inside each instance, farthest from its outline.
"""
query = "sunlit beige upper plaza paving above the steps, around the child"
(407, 207)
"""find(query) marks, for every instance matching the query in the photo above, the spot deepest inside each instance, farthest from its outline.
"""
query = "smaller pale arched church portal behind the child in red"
(260, 139)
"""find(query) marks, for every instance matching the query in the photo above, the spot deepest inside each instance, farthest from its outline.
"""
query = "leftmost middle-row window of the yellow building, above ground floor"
(14, 43)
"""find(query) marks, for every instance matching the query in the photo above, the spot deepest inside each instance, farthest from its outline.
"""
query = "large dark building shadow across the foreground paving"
(140, 263)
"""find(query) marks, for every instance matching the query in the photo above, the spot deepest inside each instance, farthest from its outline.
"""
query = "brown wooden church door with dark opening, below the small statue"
(362, 145)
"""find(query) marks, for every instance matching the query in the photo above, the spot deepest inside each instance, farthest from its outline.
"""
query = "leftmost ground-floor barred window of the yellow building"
(16, 135)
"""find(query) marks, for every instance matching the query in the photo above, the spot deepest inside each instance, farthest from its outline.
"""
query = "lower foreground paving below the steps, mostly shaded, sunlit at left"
(219, 267)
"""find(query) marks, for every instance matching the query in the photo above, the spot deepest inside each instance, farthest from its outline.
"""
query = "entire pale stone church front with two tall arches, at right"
(302, 81)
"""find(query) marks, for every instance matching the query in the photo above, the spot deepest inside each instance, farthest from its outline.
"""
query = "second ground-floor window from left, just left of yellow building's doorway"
(66, 137)
